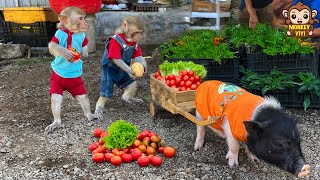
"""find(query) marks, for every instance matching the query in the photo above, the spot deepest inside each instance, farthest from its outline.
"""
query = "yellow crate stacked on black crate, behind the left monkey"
(34, 26)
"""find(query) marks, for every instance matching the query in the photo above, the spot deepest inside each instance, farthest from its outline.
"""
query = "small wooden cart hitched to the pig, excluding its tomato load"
(177, 102)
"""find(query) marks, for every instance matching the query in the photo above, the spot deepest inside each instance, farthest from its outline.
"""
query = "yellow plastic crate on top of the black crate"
(29, 14)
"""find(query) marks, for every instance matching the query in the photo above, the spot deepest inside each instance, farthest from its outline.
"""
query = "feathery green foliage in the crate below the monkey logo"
(265, 38)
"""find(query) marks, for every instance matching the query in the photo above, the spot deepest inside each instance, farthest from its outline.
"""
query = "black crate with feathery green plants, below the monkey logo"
(268, 48)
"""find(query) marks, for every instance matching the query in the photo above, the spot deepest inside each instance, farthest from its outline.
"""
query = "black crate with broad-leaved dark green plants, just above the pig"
(292, 90)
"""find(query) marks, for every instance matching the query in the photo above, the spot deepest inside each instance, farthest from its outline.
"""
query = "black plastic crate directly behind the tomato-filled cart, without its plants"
(227, 70)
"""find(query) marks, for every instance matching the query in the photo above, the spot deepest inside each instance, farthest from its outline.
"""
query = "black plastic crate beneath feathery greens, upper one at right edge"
(263, 64)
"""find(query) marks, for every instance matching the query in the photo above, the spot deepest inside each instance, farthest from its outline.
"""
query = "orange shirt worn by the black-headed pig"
(216, 98)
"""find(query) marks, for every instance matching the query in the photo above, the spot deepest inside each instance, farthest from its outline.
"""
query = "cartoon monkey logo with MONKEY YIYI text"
(300, 19)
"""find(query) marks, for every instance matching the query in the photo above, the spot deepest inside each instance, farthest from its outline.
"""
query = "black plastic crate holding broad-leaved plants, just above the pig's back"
(291, 98)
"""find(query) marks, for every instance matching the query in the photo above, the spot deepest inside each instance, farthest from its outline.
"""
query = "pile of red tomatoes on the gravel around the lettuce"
(146, 149)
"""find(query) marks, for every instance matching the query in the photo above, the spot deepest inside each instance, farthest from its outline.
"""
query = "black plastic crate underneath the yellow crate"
(34, 34)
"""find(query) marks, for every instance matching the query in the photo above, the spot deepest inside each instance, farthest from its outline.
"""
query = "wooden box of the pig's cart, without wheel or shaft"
(164, 96)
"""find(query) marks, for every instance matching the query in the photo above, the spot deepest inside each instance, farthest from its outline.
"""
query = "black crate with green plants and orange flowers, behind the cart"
(204, 47)
